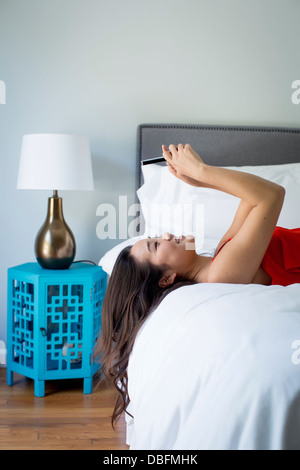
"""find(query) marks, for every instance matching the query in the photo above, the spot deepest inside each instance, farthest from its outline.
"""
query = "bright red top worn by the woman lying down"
(282, 258)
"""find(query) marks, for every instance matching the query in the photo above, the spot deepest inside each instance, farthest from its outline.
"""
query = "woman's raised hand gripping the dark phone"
(184, 163)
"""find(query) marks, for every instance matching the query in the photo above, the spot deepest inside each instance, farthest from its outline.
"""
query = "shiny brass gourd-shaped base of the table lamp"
(55, 245)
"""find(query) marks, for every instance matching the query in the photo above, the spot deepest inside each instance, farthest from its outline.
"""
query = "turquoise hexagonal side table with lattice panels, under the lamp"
(54, 319)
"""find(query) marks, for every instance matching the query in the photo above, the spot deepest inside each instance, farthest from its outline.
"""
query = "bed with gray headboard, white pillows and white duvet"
(215, 366)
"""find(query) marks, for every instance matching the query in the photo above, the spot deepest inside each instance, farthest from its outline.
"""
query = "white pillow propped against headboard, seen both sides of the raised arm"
(167, 202)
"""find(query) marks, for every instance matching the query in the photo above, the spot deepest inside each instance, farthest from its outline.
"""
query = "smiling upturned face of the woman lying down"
(178, 254)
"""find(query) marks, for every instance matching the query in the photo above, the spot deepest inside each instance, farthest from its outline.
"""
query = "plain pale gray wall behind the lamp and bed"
(100, 68)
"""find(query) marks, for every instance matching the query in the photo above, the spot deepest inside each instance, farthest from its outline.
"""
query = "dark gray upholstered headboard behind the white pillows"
(221, 145)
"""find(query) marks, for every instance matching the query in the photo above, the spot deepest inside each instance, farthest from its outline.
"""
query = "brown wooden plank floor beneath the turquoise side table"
(65, 419)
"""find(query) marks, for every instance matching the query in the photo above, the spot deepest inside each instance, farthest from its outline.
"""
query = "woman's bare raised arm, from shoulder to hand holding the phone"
(255, 220)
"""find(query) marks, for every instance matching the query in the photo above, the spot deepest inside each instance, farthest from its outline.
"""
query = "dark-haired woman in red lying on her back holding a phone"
(253, 250)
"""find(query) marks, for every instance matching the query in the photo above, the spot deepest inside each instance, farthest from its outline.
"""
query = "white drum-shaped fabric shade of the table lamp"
(55, 162)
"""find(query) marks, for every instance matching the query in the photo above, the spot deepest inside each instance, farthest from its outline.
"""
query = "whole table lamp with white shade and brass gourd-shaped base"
(55, 162)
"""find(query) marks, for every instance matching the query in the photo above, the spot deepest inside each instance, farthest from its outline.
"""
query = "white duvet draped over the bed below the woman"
(217, 366)
